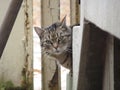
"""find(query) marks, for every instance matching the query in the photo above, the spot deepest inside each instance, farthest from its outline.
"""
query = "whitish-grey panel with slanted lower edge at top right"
(104, 13)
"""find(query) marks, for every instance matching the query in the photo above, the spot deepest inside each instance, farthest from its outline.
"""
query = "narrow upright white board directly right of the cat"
(77, 42)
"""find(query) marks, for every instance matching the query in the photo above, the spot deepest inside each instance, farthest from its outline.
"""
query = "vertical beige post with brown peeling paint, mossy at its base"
(27, 74)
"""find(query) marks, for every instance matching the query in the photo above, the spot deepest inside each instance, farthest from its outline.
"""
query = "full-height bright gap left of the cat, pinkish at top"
(36, 46)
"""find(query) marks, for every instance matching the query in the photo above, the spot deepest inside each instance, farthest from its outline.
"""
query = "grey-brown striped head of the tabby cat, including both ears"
(56, 39)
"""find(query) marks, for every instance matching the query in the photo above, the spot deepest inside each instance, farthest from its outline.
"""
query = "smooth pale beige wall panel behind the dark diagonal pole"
(12, 61)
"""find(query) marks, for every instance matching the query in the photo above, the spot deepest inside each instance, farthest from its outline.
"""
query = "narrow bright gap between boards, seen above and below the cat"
(64, 11)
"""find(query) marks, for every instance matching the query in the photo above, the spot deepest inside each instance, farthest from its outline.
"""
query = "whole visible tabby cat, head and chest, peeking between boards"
(56, 41)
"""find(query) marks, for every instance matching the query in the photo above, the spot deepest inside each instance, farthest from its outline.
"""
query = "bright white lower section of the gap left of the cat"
(37, 63)
